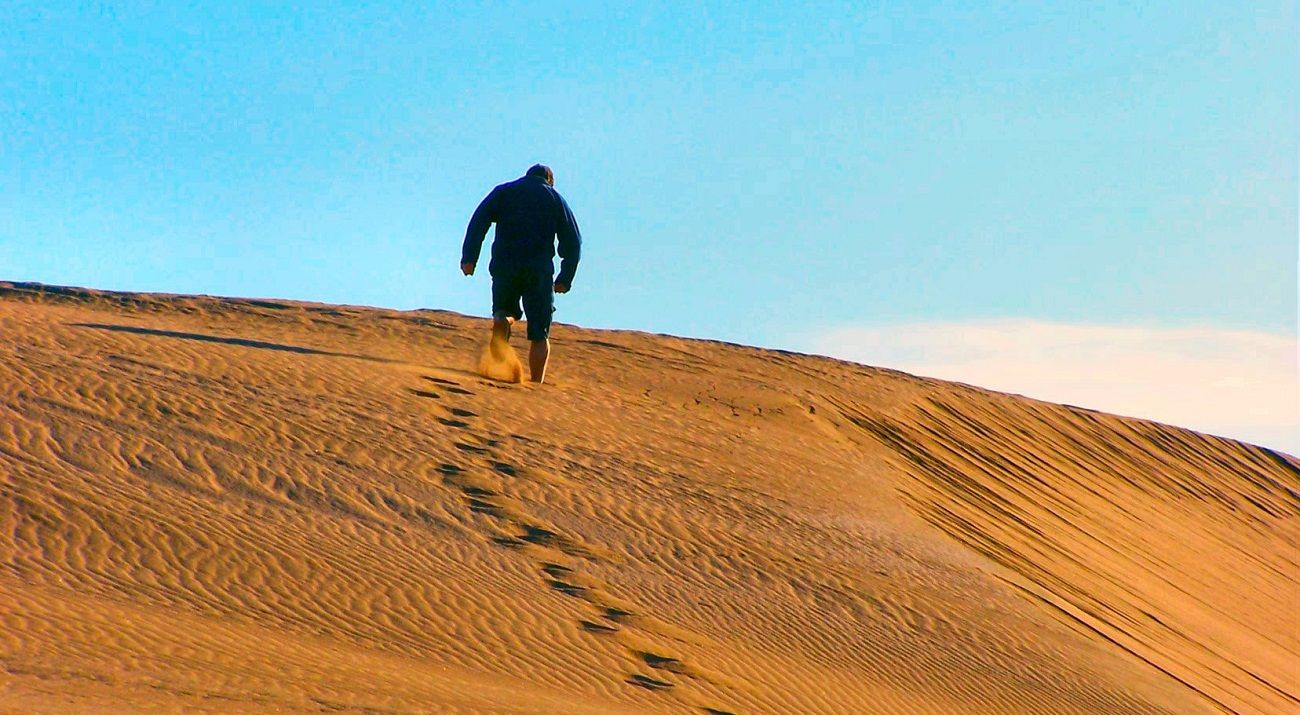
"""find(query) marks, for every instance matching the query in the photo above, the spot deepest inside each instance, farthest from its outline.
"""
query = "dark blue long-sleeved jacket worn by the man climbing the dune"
(530, 216)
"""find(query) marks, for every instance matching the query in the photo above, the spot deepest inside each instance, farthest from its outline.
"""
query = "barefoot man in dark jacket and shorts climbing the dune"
(530, 218)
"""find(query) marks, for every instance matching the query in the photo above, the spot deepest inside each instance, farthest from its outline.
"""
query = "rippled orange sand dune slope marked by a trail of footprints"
(237, 506)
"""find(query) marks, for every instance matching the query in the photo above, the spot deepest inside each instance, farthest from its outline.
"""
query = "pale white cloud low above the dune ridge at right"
(1238, 384)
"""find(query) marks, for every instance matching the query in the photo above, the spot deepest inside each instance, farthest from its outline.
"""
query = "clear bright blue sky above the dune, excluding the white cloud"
(770, 174)
